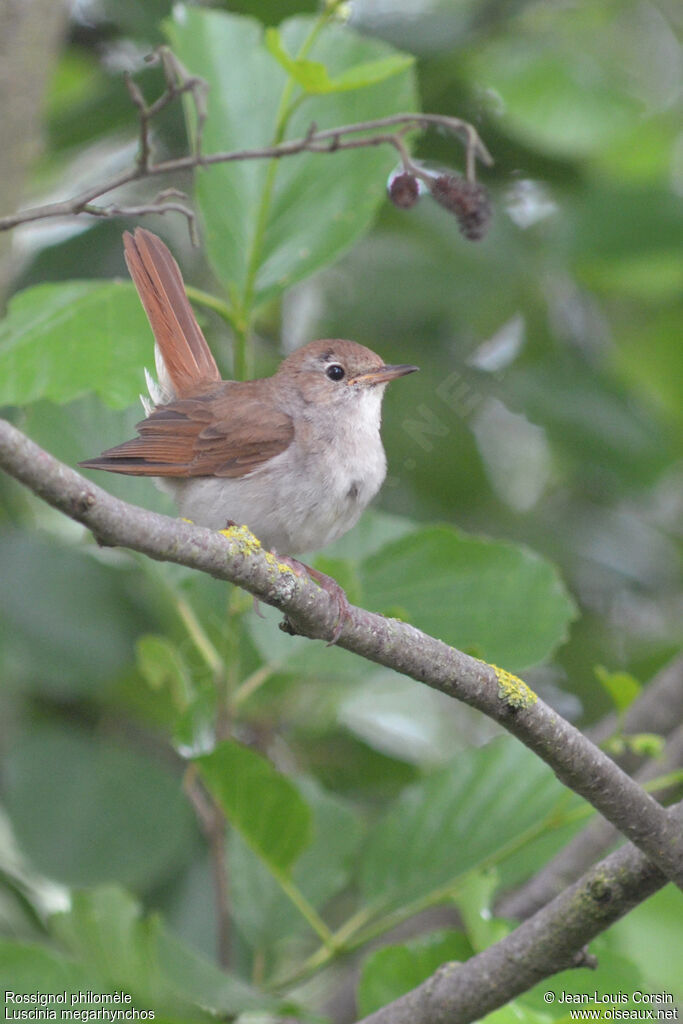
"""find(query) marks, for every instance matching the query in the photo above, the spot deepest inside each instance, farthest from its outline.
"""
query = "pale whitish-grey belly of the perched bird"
(293, 505)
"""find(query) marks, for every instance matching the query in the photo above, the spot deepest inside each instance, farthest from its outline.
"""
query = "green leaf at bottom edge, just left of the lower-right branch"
(392, 972)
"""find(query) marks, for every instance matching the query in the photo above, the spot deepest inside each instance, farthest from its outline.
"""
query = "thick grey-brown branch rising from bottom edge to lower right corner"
(550, 942)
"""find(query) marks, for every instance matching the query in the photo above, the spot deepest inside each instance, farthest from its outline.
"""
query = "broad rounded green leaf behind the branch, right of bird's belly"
(498, 600)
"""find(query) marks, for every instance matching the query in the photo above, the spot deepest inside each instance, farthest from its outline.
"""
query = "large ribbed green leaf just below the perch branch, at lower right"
(487, 805)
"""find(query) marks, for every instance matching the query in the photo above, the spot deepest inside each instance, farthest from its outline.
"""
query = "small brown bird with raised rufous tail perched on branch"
(296, 457)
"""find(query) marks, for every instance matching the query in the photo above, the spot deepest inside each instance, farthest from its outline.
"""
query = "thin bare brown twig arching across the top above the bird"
(179, 82)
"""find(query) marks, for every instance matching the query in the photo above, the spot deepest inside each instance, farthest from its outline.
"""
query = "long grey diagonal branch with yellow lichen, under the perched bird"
(237, 557)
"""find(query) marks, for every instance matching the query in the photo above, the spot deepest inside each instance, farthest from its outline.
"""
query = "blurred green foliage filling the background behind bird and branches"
(547, 417)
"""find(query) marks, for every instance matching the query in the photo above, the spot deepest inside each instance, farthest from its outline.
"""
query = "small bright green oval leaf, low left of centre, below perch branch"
(265, 806)
